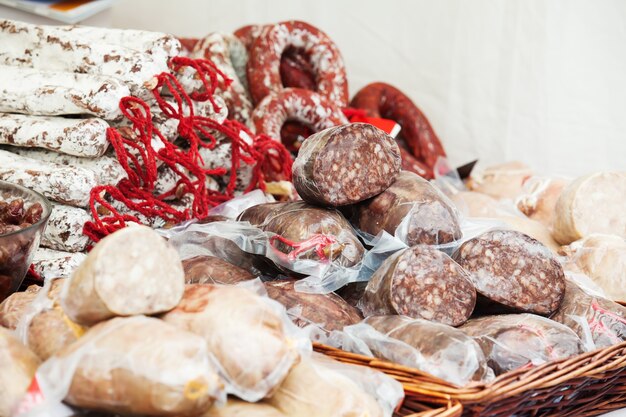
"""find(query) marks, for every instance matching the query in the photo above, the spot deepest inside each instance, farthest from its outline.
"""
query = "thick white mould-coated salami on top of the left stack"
(79, 51)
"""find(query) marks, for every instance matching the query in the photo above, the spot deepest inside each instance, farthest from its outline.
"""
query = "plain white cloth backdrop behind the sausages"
(539, 81)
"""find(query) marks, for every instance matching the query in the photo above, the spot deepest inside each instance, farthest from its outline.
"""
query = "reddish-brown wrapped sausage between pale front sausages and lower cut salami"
(327, 311)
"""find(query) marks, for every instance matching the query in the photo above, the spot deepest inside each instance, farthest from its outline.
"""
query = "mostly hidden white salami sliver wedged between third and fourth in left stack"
(108, 170)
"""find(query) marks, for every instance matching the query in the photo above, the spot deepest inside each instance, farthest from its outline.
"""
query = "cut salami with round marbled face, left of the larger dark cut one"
(420, 282)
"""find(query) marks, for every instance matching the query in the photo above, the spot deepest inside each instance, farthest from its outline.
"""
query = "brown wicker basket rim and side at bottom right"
(585, 385)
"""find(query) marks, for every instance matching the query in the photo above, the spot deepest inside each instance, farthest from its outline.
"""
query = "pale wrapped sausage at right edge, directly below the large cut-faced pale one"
(603, 259)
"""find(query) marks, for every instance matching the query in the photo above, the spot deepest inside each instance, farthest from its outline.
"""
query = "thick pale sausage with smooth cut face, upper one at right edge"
(591, 204)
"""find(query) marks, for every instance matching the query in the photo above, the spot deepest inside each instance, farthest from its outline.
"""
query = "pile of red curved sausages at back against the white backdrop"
(289, 81)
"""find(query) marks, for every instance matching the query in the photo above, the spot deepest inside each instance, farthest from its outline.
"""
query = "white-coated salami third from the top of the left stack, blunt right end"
(79, 137)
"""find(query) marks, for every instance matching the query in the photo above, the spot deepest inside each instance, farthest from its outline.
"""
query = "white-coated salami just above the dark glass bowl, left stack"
(63, 184)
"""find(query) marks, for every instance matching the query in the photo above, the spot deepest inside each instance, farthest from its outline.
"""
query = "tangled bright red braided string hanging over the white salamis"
(135, 150)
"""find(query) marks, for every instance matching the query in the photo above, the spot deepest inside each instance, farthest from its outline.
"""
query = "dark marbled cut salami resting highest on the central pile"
(345, 165)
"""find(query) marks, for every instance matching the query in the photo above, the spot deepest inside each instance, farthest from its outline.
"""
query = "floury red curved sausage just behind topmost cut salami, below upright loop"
(292, 104)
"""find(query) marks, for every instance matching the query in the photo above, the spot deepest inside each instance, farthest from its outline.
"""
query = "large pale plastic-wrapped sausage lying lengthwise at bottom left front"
(132, 365)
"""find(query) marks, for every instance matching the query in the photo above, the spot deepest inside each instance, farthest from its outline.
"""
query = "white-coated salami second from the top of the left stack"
(53, 93)
